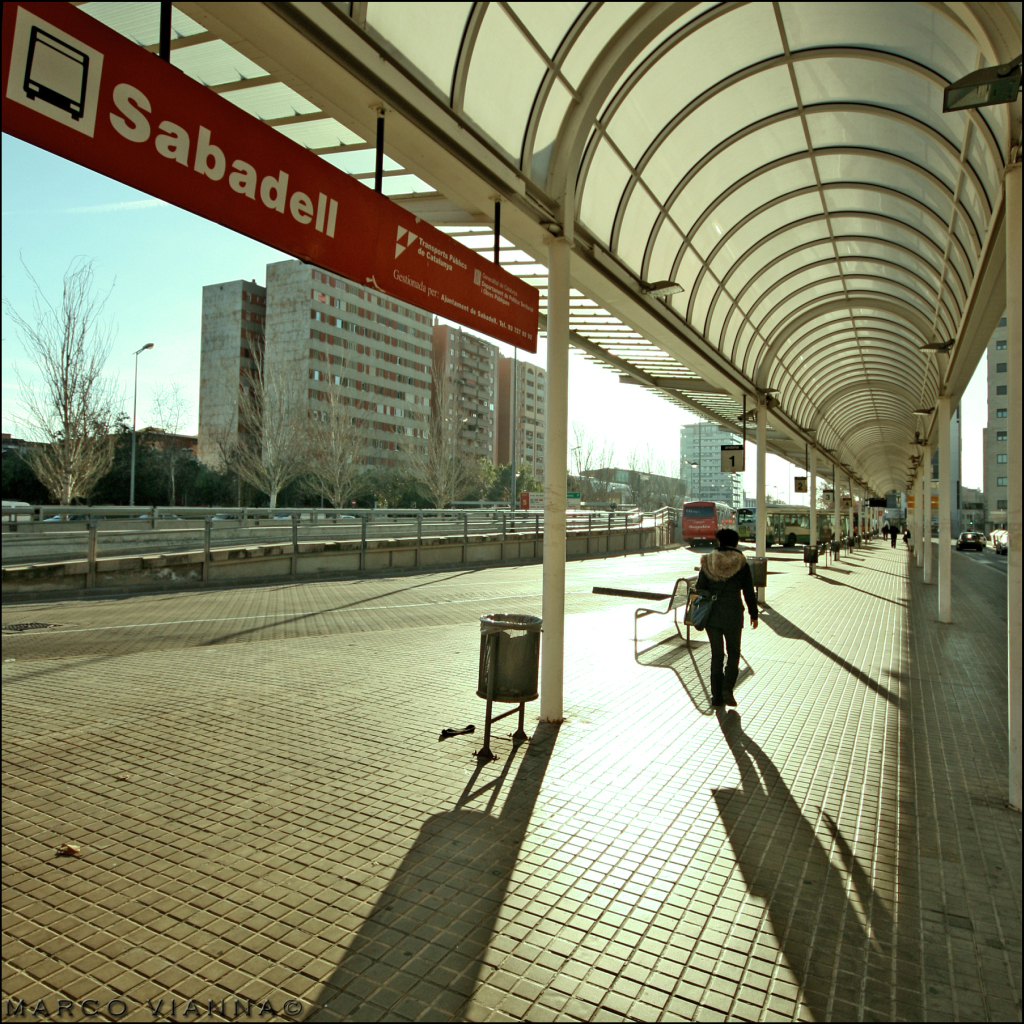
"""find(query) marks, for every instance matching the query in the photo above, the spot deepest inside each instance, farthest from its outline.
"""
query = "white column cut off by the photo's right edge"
(1015, 430)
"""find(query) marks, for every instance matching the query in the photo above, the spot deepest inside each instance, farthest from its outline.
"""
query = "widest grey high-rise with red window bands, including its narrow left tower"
(323, 333)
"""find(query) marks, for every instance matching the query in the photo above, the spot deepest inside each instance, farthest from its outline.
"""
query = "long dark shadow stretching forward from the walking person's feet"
(785, 864)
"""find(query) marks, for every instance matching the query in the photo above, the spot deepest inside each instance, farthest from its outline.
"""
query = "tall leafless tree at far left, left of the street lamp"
(73, 408)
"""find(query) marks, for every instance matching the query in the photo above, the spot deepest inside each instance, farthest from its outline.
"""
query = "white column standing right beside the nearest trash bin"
(552, 648)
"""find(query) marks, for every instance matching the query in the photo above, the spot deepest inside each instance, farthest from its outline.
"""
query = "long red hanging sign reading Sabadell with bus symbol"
(79, 90)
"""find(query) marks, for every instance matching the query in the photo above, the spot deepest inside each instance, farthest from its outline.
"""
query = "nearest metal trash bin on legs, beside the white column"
(510, 654)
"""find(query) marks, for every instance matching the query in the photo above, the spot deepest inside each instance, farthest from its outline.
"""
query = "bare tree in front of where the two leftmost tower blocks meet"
(273, 444)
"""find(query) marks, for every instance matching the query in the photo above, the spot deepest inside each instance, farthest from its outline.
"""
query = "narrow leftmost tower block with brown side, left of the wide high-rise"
(232, 346)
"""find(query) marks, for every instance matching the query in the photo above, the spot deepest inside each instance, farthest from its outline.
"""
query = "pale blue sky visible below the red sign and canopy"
(158, 259)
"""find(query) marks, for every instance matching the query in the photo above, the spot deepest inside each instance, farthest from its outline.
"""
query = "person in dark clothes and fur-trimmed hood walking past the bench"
(727, 575)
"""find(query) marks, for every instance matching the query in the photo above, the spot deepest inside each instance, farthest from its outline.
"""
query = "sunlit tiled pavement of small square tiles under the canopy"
(266, 813)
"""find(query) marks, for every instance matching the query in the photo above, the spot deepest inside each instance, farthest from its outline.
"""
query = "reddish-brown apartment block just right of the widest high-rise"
(471, 366)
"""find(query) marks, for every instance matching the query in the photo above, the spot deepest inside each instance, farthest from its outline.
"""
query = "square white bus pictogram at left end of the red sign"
(55, 74)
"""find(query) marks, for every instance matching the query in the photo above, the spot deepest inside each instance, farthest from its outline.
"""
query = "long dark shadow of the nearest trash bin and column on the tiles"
(422, 946)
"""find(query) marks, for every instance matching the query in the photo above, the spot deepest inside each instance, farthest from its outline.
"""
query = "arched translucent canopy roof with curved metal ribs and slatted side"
(789, 165)
